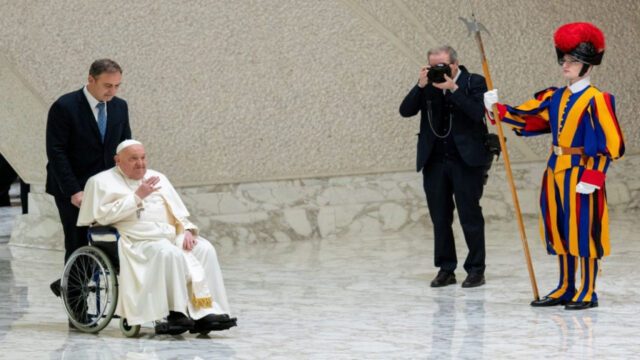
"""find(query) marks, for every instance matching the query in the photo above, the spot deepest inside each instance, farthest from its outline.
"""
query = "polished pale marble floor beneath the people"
(353, 298)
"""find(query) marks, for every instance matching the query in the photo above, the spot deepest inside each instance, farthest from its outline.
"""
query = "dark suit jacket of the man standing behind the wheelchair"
(74, 148)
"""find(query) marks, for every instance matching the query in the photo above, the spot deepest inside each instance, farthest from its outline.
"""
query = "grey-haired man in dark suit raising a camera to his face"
(453, 159)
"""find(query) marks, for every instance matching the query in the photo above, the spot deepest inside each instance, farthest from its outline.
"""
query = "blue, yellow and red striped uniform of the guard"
(572, 224)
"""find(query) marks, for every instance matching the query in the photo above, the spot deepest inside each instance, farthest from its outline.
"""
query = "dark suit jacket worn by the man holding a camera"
(468, 125)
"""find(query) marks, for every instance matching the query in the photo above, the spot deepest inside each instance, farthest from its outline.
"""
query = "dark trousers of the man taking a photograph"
(448, 178)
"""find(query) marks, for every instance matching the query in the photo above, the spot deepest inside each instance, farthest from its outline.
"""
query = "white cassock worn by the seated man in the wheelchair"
(156, 274)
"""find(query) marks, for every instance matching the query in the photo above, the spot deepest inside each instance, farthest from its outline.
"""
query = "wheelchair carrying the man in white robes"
(89, 283)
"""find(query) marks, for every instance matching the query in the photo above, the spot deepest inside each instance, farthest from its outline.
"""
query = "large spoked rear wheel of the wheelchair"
(89, 289)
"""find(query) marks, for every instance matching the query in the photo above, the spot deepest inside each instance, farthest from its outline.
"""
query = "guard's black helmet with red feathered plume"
(582, 41)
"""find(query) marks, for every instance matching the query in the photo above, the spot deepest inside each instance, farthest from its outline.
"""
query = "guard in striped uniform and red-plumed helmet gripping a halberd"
(585, 139)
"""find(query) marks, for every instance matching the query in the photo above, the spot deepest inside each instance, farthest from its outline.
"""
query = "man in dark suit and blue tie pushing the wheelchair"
(84, 128)
